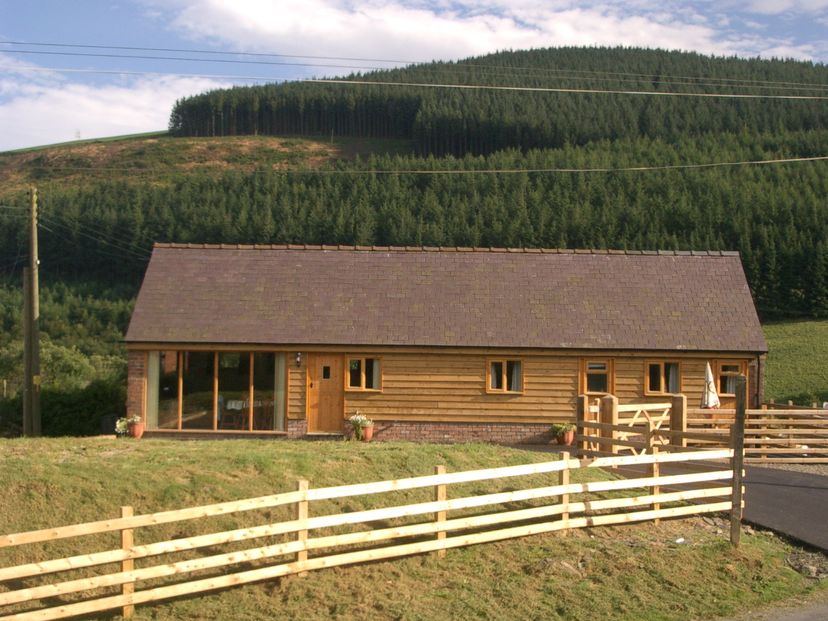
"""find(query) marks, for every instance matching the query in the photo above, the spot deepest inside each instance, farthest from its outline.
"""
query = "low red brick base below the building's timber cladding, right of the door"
(496, 433)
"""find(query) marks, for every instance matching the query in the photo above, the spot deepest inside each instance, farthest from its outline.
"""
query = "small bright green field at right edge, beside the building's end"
(797, 361)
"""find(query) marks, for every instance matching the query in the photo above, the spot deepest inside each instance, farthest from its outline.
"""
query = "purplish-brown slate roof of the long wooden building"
(458, 297)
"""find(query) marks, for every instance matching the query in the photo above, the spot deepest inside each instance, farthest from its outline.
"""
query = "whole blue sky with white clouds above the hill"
(65, 93)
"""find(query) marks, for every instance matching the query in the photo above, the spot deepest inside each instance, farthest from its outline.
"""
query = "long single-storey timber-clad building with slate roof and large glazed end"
(434, 344)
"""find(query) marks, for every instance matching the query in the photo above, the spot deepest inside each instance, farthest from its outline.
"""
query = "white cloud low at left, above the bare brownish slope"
(44, 108)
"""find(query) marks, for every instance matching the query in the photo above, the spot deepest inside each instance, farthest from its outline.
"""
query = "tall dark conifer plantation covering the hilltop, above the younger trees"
(478, 120)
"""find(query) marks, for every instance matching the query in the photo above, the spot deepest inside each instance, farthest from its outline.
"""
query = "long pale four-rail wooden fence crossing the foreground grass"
(517, 513)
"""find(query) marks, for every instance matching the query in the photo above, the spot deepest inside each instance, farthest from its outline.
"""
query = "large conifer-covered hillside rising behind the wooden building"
(551, 170)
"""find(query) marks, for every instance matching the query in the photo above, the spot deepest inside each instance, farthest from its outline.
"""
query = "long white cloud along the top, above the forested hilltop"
(422, 31)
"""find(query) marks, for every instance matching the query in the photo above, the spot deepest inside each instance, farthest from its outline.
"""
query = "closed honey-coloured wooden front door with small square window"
(326, 393)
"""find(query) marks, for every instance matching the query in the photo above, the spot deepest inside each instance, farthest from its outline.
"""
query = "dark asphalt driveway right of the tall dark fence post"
(792, 503)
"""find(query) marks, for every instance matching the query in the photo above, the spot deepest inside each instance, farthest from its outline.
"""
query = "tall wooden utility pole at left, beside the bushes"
(31, 331)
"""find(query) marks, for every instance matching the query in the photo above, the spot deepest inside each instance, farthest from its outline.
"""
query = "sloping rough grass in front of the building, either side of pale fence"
(628, 572)
